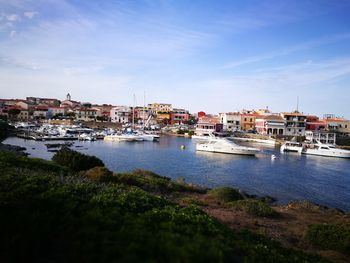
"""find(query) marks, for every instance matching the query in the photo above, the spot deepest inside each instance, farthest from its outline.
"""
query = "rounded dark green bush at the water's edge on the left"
(76, 161)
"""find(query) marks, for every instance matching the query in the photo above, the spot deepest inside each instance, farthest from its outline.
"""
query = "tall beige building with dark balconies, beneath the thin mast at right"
(295, 123)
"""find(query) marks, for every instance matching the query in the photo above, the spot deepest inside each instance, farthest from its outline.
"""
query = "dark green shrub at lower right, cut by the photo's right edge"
(329, 236)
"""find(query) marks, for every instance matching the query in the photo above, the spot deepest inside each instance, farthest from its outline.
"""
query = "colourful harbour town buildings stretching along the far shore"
(159, 115)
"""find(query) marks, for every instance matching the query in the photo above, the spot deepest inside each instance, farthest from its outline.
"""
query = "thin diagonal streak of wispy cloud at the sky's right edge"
(289, 50)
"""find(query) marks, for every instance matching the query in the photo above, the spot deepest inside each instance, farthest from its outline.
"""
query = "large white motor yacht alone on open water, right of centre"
(221, 145)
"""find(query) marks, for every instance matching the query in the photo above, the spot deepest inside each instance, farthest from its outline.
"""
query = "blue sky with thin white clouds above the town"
(215, 56)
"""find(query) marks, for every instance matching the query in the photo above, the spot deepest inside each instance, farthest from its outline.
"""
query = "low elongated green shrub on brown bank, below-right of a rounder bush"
(253, 207)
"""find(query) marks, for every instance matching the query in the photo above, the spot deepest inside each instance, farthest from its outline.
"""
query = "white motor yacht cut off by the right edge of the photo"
(326, 150)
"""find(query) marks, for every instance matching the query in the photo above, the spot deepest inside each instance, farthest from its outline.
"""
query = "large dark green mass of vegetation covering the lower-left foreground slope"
(46, 217)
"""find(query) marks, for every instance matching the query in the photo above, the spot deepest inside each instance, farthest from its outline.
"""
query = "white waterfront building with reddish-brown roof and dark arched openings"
(270, 125)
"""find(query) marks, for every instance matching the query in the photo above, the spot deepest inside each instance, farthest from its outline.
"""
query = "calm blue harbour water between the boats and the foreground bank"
(322, 180)
